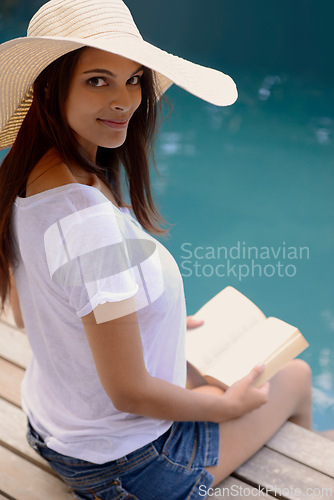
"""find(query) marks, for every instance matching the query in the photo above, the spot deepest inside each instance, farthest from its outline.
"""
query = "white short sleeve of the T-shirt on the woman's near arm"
(88, 257)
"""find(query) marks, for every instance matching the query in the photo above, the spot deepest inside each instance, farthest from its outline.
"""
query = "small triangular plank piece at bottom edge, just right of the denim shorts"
(232, 487)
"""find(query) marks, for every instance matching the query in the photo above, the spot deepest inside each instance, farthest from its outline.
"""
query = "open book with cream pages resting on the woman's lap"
(236, 336)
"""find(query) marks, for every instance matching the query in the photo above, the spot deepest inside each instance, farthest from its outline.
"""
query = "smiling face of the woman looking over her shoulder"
(104, 93)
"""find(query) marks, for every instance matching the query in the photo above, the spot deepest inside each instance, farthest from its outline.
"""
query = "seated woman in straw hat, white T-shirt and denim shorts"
(107, 396)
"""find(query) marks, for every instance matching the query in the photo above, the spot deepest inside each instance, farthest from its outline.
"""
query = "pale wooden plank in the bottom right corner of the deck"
(292, 480)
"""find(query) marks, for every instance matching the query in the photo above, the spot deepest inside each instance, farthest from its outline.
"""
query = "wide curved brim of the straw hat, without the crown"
(23, 59)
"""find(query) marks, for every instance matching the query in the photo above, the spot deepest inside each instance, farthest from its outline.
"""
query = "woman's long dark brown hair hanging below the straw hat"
(45, 126)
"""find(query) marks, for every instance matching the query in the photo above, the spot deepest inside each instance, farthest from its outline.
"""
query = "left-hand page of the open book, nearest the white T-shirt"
(227, 317)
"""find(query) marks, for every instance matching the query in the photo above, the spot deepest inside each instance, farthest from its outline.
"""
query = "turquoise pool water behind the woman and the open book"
(250, 187)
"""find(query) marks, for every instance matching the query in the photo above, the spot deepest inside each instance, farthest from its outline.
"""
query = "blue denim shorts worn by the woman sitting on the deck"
(170, 468)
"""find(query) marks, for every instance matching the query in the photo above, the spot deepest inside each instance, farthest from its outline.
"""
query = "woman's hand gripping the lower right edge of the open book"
(244, 397)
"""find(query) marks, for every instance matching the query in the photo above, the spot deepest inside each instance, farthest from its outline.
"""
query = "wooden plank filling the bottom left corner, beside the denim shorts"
(25, 481)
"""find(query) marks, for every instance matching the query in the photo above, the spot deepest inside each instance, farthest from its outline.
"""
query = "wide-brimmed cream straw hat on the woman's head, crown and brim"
(61, 26)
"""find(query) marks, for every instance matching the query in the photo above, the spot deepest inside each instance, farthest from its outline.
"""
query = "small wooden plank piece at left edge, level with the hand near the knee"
(10, 381)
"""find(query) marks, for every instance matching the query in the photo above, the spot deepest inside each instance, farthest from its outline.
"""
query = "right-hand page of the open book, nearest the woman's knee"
(253, 348)
